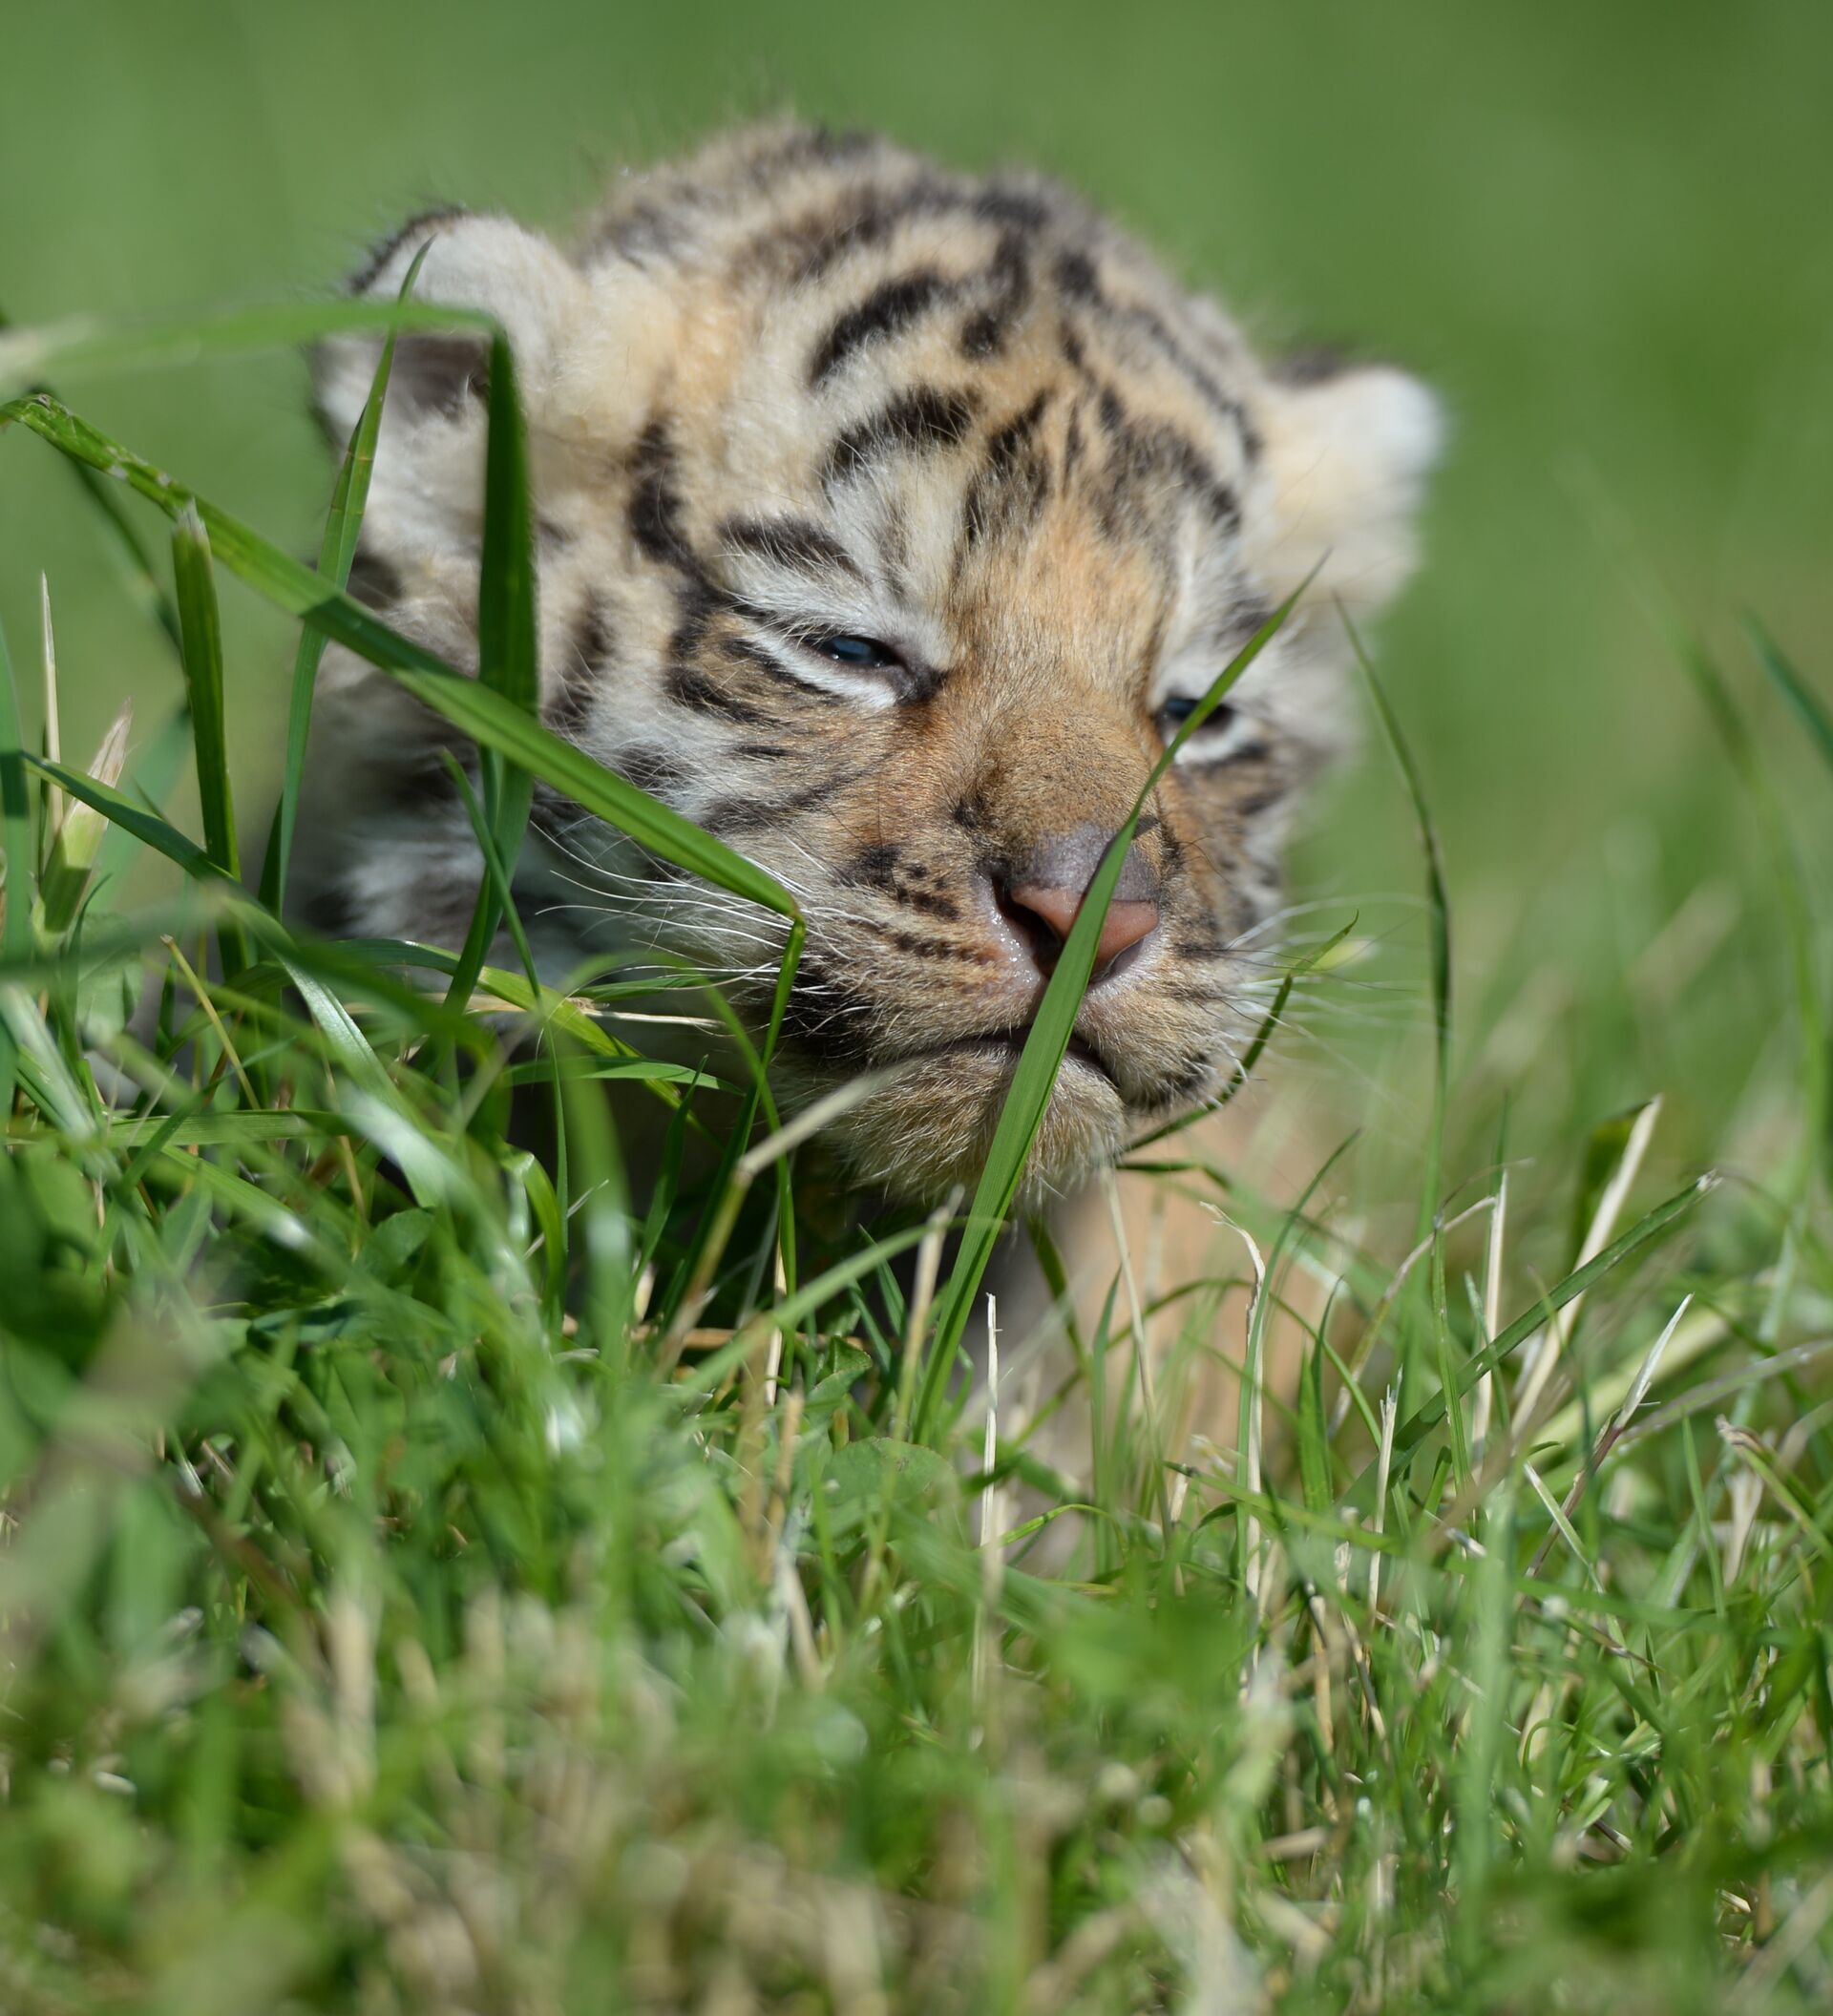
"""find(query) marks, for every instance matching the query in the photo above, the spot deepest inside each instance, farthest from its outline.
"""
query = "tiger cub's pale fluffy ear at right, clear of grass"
(1348, 457)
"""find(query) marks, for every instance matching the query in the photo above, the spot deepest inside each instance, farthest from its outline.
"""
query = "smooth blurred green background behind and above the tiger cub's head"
(1600, 231)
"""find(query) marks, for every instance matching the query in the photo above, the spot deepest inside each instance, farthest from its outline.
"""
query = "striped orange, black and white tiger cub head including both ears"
(890, 523)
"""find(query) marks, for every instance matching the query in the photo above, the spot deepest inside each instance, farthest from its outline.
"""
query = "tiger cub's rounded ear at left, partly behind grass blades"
(441, 376)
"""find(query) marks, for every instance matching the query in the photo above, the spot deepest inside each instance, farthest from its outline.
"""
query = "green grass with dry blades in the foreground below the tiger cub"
(447, 1580)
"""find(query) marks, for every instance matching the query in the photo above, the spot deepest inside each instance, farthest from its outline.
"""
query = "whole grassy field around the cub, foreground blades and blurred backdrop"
(433, 1584)
